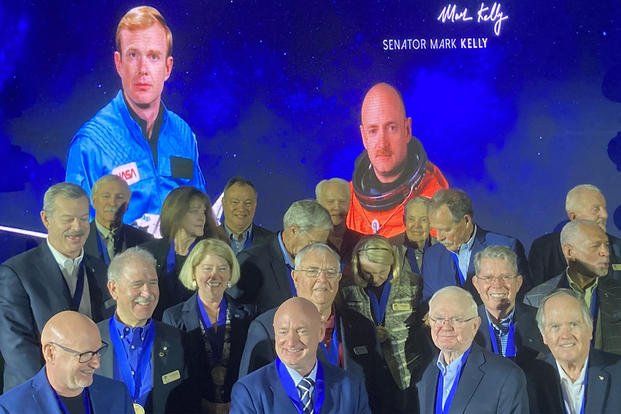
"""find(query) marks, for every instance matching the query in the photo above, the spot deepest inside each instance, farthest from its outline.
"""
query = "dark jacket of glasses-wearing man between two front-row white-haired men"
(528, 339)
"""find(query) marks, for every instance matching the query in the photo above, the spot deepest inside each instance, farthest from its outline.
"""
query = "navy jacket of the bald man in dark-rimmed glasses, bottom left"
(36, 396)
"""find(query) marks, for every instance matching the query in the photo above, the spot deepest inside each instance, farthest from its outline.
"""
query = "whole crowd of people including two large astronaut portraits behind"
(379, 295)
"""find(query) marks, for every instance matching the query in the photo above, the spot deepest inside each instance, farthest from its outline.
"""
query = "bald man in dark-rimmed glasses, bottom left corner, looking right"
(72, 349)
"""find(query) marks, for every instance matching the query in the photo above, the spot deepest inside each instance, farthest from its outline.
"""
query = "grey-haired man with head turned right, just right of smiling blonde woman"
(266, 269)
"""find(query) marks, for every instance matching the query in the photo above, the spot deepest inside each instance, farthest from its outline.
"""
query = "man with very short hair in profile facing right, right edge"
(586, 249)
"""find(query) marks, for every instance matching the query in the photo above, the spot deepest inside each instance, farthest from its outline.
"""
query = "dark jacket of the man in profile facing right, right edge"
(609, 299)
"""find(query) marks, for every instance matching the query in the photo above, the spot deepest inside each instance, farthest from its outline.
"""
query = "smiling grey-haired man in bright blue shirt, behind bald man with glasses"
(151, 358)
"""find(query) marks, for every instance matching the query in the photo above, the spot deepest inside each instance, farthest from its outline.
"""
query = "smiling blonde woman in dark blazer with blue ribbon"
(212, 317)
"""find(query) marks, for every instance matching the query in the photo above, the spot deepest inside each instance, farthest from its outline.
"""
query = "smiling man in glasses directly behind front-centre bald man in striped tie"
(350, 341)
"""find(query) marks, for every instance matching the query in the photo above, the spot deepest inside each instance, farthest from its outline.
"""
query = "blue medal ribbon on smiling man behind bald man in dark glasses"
(133, 383)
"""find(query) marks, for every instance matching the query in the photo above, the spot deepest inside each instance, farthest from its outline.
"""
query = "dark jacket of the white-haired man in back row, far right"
(546, 258)
